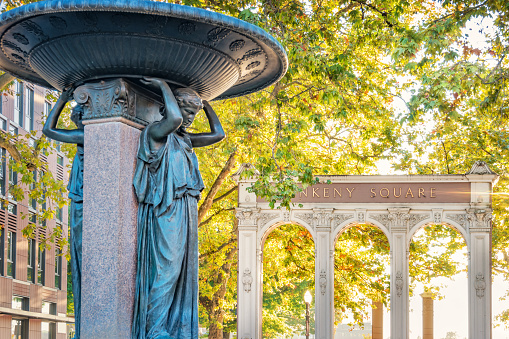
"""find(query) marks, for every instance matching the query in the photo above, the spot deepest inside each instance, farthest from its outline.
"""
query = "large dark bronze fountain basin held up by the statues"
(57, 44)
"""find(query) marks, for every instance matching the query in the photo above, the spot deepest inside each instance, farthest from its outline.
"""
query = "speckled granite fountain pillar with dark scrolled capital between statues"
(109, 207)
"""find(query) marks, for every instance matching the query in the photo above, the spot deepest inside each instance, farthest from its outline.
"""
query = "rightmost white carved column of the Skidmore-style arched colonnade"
(479, 274)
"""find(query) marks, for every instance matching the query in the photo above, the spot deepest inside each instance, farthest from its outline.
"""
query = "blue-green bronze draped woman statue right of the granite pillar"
(168, 185)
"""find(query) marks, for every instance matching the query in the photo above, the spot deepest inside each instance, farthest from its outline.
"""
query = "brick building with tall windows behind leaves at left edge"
(33, 282)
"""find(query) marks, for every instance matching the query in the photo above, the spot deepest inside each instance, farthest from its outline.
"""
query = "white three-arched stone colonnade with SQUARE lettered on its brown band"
(399, 205)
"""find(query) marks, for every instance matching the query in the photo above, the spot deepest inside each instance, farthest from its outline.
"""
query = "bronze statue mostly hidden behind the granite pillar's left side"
(75, 188)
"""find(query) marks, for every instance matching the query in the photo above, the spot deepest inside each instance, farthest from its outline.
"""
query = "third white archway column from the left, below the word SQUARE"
(398, 221)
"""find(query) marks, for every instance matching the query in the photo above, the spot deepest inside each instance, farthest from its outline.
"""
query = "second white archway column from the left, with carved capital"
(324, 275)
